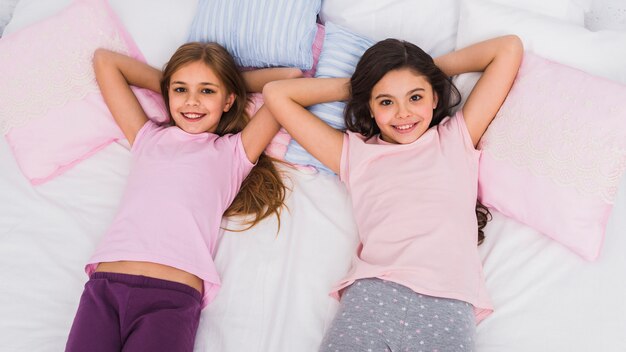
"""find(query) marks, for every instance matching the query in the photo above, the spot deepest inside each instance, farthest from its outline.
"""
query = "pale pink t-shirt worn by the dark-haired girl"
(414, 205)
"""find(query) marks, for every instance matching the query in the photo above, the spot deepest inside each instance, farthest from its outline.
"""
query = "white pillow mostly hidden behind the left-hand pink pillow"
(157, 26)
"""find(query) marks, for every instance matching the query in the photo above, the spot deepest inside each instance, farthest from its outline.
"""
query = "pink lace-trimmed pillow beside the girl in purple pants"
(52, 113)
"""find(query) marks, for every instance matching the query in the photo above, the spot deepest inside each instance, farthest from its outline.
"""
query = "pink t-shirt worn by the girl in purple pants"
(179, 186)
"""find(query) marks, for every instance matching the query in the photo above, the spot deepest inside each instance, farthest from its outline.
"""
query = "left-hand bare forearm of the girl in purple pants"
(136, 73)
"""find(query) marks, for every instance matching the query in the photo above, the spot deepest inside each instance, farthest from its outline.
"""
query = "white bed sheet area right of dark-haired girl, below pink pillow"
(547, 298)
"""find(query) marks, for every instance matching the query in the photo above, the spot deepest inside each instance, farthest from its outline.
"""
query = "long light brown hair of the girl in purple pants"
(262, 193)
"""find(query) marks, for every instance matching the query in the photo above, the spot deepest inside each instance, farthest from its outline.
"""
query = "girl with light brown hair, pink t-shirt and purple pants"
(153, 270)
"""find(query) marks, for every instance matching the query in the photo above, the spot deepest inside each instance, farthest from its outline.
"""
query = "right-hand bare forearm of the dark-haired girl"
(476, 57)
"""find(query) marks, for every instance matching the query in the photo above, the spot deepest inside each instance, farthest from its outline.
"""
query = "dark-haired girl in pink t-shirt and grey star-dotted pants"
(411, 169)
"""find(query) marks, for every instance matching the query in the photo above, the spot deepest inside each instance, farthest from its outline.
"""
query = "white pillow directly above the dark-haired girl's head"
(431, 25)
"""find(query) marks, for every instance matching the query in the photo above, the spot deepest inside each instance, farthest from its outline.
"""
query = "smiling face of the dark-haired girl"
(402, 104)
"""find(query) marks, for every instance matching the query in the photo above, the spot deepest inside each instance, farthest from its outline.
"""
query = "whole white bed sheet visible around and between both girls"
(274, 294)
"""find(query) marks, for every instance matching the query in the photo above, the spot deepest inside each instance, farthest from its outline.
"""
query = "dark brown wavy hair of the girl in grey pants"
(393, 54)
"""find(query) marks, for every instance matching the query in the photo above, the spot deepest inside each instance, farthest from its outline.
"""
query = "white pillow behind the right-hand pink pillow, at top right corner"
(599, 53)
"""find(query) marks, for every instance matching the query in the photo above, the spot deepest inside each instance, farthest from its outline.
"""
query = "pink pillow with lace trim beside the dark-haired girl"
(555, 153)
